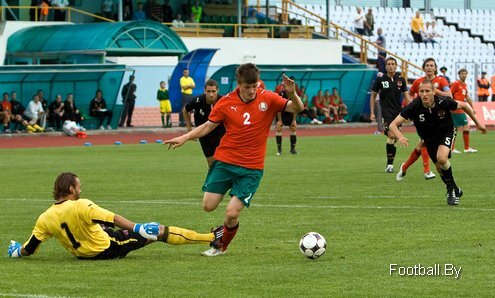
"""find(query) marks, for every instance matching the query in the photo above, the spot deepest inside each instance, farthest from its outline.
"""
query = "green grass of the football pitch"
(336, 186)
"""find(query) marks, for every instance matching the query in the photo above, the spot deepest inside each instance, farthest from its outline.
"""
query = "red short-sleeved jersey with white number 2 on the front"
(247, 126)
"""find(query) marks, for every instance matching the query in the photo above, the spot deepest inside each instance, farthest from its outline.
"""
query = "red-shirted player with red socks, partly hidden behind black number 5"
(441, 88)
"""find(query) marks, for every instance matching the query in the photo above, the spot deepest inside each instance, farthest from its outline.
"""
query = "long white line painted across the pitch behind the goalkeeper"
(198, 202)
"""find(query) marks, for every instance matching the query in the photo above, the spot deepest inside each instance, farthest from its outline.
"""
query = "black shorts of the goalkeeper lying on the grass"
(122, 242)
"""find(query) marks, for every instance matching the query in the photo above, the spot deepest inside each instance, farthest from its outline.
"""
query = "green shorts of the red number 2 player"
(242, 182)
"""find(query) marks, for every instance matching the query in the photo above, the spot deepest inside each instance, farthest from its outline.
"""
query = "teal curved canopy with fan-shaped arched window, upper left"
(141, 38)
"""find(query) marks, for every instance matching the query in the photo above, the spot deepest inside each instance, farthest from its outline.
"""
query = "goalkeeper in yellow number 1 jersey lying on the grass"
(85, 229)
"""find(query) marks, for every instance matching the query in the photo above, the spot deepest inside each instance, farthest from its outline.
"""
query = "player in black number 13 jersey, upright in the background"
(390, 87)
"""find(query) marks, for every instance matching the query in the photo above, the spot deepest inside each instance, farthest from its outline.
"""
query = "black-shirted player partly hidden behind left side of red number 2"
(201, 106)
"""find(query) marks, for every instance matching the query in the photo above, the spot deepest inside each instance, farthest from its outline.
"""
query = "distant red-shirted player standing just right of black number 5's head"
(460, 93)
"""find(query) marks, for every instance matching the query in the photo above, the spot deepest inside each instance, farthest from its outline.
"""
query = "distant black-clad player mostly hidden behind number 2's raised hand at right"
(286, 119)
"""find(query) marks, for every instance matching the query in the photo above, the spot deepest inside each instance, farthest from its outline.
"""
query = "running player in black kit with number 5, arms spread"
(432, 117)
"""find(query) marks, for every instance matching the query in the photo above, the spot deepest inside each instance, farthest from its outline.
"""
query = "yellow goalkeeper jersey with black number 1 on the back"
(76, 225)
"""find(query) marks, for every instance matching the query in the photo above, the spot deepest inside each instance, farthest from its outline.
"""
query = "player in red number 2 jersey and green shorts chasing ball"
(247, 114)
